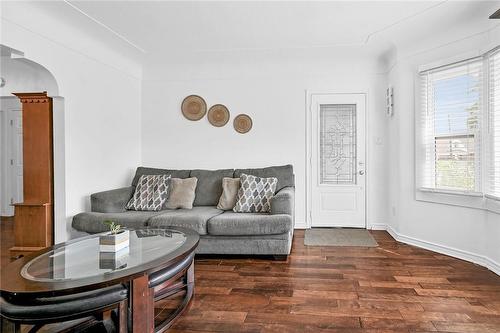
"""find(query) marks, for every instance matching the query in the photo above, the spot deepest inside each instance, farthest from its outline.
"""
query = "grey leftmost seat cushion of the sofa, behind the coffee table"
(93, 222)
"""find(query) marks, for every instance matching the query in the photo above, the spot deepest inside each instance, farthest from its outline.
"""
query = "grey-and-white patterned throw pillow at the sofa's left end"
(151, 193)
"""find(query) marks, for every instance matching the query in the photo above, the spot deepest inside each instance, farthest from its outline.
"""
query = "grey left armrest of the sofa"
(112, 201)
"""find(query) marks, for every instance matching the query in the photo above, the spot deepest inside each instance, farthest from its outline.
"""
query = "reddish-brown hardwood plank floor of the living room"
(393, 288)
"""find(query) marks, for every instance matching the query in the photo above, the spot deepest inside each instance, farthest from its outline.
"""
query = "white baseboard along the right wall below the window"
(447, 250)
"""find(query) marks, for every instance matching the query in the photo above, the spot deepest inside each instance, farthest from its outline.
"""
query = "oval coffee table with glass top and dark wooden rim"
(154, 257)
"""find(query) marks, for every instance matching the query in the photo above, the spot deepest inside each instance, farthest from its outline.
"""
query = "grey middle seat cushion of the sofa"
(195, 218)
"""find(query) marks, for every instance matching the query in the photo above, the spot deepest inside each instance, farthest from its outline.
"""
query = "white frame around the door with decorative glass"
(309, 142)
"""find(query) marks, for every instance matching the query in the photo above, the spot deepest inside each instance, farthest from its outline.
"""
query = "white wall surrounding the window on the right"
(472, 234)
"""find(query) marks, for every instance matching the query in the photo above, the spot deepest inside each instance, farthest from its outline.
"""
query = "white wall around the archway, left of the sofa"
(102, 94)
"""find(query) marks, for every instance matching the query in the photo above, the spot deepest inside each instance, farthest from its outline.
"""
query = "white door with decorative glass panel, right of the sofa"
(338, 160)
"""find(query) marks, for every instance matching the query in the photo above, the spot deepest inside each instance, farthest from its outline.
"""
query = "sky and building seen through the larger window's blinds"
(456, 109)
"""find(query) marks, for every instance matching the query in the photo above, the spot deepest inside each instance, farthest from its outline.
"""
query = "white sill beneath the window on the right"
(461, 199)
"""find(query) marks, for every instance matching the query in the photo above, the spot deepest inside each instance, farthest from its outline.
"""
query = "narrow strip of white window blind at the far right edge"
(493, 168)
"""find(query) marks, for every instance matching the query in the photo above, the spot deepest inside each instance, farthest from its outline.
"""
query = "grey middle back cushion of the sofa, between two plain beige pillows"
(209, 186)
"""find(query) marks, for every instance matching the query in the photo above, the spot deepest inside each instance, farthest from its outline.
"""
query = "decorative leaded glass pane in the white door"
(338, 144)
